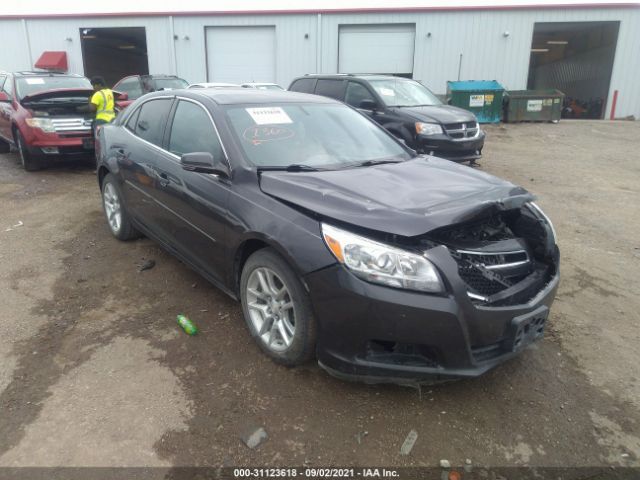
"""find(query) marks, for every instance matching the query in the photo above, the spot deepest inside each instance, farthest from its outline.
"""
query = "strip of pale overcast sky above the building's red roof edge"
(39, 7)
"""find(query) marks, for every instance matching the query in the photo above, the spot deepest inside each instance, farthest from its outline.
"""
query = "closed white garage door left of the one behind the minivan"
(241, 54)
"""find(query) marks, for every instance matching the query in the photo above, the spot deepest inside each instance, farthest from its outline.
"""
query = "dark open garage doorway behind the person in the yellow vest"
(114, 53)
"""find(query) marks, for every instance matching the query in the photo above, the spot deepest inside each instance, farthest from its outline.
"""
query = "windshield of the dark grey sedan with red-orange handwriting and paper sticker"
(312, 135)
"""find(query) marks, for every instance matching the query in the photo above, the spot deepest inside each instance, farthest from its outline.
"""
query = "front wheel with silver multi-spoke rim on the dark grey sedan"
(277, 309)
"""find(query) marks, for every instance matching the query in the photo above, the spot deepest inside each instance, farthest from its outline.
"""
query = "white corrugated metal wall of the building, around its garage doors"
(309, 43)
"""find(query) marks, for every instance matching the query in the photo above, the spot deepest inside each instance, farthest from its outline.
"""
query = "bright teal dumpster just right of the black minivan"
(482, 97)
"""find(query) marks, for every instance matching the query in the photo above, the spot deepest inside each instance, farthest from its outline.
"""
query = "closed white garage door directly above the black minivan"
(376, 49)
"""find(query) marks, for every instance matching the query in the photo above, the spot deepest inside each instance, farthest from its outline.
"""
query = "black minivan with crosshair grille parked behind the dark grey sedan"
(406, 108)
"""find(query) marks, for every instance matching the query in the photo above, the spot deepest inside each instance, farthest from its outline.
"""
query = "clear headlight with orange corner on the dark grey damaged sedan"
(379, 263)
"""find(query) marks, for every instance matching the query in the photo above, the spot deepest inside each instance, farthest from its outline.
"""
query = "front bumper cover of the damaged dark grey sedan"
(377, 334)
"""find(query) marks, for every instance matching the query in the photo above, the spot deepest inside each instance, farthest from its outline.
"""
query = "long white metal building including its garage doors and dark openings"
(590, 49)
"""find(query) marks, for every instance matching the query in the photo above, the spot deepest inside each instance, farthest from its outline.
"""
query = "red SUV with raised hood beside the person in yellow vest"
(40, 116)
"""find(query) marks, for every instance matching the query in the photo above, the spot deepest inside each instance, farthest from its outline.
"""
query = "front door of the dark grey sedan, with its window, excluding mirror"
(194, 205)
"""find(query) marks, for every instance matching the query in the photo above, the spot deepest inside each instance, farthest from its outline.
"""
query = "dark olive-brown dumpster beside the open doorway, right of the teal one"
(533, 105)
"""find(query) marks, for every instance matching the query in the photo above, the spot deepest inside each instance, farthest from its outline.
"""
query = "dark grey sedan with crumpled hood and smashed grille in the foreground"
(339, 241)
